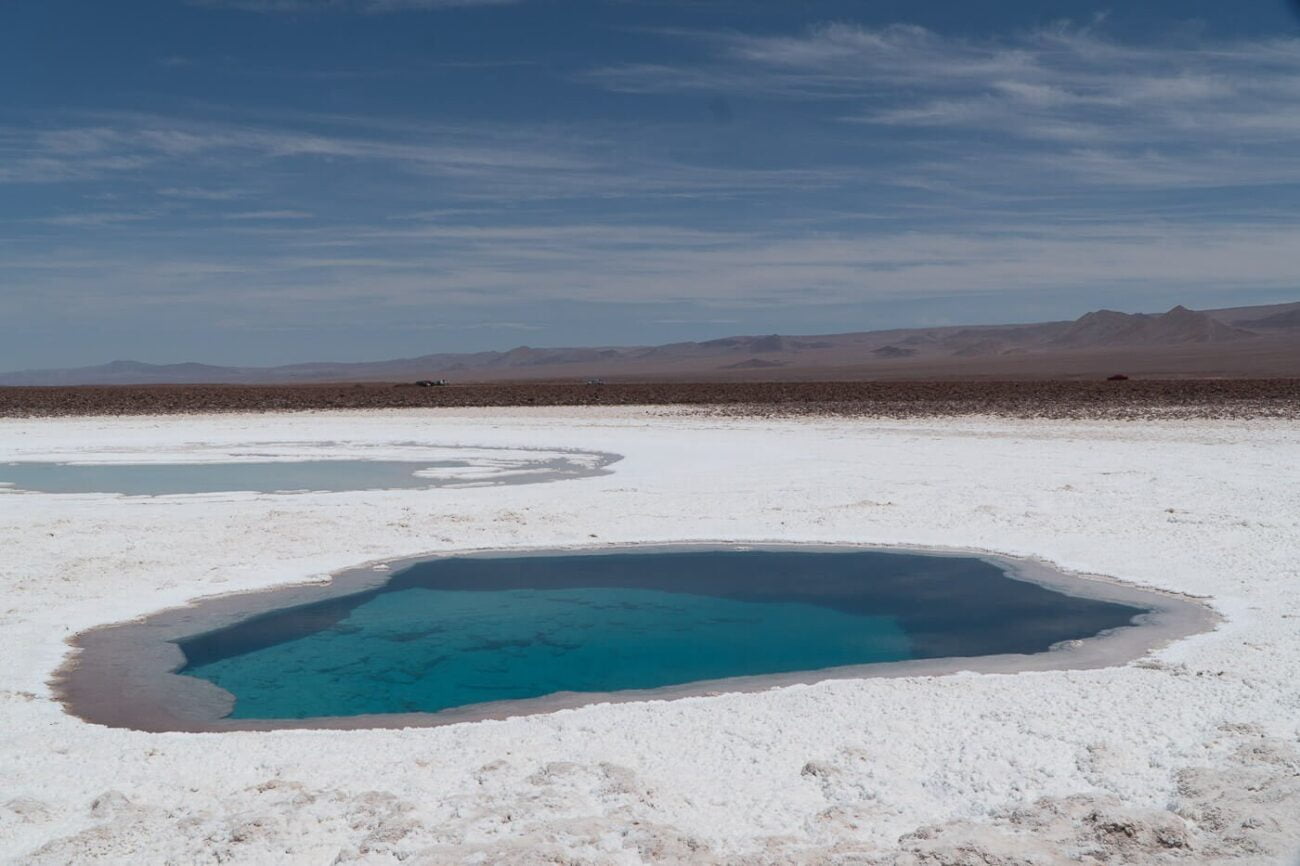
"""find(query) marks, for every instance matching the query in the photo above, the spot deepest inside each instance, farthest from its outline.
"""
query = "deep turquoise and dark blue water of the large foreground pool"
(460, 631)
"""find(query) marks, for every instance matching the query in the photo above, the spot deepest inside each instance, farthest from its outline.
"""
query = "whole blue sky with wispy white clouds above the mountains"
(272, 181)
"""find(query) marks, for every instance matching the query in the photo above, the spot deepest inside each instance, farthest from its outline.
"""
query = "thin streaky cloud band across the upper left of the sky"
(475, 163)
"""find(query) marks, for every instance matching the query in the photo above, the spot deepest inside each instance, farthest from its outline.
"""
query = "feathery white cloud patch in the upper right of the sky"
(1172, 110)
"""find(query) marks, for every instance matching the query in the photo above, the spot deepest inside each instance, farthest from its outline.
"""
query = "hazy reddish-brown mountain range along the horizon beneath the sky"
(1238, 343)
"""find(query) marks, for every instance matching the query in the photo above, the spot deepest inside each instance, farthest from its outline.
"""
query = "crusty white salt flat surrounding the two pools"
(1190, 756)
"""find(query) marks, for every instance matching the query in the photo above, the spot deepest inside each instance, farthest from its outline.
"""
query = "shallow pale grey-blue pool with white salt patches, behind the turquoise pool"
(285, 477)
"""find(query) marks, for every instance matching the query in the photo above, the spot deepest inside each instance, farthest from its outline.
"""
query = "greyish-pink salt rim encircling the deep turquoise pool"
(93, 677)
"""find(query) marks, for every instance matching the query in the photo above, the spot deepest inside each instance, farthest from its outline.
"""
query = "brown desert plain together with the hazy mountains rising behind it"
(1238, 362)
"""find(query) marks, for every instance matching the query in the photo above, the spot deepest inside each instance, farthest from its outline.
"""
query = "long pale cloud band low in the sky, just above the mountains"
(642, 265)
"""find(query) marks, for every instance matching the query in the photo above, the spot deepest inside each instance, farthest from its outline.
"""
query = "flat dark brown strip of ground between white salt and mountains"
(1052, 400)
